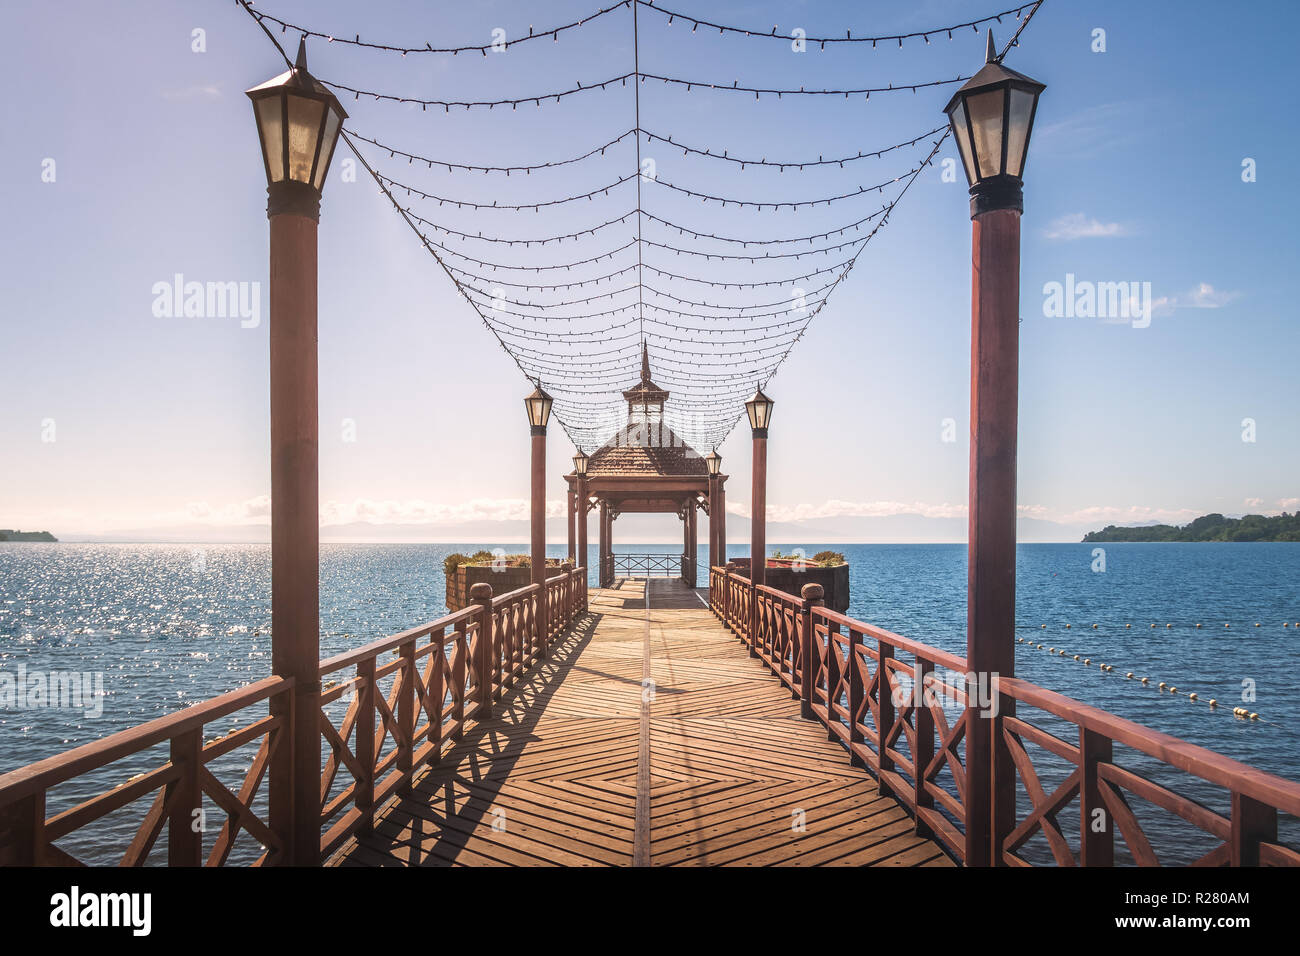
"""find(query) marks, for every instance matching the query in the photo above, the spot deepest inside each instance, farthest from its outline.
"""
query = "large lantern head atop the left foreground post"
(300, 122)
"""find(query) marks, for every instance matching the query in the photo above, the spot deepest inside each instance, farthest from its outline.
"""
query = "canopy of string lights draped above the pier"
(709, 351)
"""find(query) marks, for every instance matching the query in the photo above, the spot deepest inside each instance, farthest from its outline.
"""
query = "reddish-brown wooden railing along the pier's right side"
(902, 711)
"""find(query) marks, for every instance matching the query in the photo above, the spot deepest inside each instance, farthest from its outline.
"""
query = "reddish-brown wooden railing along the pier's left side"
(401, 715)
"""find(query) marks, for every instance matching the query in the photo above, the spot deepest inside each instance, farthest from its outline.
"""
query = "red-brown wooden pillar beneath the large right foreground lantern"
(991, 564)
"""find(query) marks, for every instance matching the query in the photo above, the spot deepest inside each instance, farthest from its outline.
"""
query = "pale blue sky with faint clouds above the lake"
(120, 422)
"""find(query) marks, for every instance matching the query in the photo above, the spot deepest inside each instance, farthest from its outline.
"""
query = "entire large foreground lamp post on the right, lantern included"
(993, 118)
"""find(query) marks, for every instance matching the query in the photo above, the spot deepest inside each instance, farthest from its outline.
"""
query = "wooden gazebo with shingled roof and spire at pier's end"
(647, 469)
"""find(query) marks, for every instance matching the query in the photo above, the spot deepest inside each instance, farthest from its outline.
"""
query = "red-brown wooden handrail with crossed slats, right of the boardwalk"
(838, 690)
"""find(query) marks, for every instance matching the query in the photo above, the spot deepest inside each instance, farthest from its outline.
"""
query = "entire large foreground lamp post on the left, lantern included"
(298, 124)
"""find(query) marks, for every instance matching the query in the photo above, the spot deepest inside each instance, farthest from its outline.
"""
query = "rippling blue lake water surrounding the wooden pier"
(172, 625)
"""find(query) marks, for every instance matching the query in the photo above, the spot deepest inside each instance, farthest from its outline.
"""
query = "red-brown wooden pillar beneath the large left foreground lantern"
(294, 788)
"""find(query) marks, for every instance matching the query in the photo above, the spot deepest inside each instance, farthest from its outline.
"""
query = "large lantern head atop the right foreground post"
(993, 118)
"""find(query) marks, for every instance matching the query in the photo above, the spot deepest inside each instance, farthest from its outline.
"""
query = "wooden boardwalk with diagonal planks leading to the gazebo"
(651, 738)
